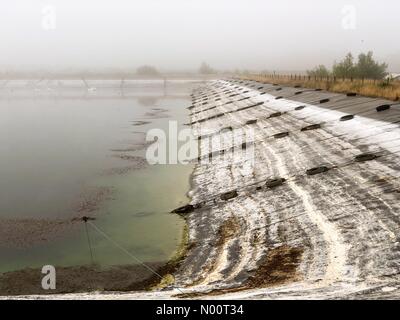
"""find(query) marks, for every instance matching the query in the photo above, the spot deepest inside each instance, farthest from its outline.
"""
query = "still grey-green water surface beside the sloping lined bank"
(67, 151)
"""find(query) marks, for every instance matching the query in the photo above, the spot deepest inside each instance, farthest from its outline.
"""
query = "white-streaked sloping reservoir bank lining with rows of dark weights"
(332, 232)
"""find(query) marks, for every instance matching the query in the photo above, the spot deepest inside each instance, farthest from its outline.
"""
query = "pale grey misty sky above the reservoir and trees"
(180, 34)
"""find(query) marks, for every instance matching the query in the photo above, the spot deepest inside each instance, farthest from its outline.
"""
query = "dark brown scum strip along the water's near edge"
(109, 280)
